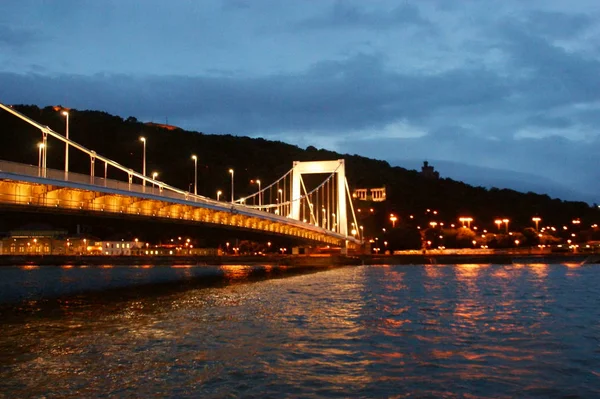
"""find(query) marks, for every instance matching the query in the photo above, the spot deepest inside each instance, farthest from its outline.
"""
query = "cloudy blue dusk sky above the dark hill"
(506, 86)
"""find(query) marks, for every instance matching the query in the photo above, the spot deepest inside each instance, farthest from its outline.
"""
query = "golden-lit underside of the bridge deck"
(24, 195)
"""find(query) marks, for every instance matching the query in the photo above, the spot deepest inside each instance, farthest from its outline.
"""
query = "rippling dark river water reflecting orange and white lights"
(465, 331)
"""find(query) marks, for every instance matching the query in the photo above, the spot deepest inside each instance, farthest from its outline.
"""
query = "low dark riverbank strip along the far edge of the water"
(300, 260)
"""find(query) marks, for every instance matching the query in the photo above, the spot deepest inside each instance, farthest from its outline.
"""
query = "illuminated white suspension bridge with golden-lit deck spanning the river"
(284, 207)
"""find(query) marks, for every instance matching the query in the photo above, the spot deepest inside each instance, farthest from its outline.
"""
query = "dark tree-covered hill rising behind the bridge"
(169, 151)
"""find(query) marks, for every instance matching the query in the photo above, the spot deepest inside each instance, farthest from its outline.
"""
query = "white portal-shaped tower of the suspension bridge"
(317, 167)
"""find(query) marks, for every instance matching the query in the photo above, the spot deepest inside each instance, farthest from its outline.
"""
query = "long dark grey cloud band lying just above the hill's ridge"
(355, 94)
